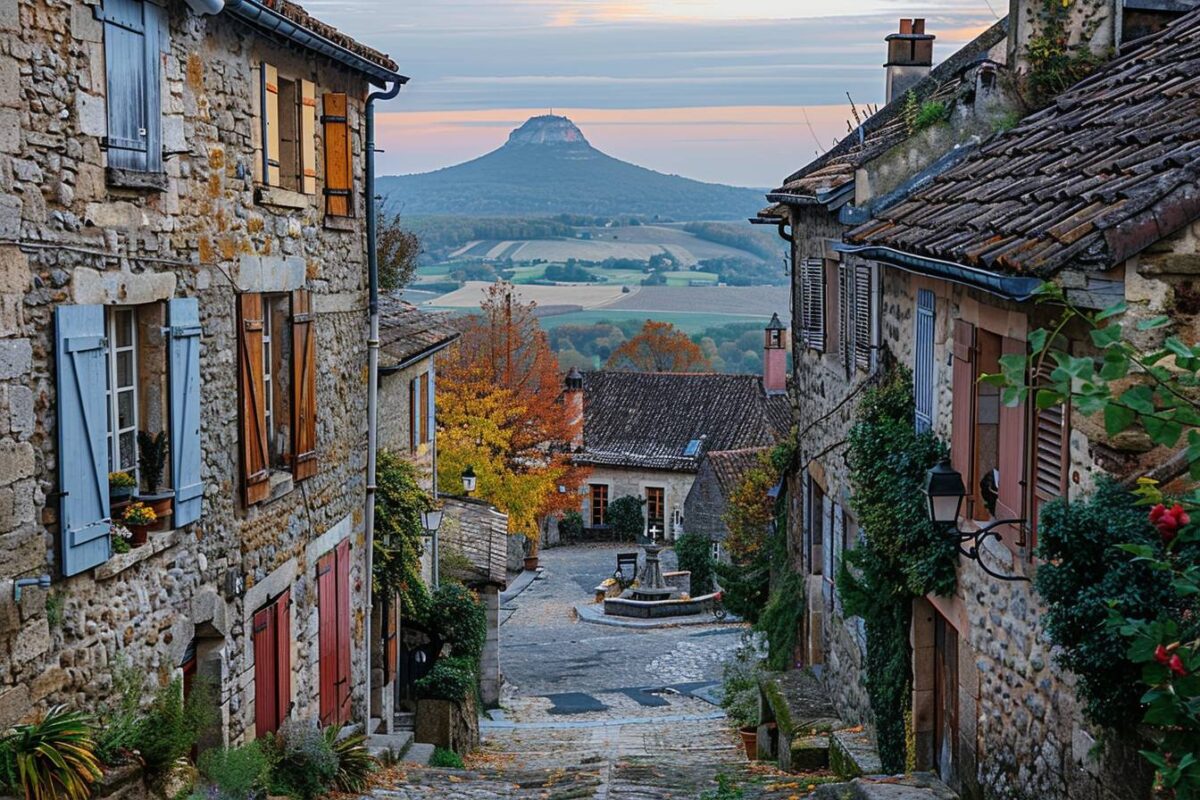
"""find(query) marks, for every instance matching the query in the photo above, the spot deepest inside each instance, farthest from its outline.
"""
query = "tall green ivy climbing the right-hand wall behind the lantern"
(902, 556)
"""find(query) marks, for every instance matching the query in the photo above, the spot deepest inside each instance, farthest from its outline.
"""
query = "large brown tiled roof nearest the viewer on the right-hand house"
(1107, 171)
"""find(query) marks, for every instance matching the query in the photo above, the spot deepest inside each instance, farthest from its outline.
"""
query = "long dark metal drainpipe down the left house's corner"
(373, 376)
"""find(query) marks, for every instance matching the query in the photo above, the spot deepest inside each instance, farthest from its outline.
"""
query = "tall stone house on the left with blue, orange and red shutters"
(184, 232)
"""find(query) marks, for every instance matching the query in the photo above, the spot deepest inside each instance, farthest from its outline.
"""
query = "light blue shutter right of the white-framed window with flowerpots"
(185, 410)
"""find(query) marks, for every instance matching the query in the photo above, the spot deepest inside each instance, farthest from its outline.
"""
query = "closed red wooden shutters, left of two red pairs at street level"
(272, 631)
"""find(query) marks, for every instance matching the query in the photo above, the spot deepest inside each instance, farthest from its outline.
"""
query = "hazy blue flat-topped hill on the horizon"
(548, 167)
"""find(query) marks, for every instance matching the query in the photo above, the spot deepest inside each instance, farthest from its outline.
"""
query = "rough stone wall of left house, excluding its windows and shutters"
(70, 236)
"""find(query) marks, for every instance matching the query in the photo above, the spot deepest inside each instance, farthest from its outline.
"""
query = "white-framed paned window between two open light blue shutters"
(123, 392)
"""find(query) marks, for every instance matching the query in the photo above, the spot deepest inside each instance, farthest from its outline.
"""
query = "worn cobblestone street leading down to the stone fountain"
(595, 711)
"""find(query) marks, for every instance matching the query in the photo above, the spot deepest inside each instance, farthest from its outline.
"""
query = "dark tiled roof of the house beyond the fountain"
(646, 420)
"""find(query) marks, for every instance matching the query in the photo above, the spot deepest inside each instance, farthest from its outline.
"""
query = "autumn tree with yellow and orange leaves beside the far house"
(501, 413)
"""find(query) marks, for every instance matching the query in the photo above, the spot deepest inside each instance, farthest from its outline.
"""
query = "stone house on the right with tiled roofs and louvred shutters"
(949, 238)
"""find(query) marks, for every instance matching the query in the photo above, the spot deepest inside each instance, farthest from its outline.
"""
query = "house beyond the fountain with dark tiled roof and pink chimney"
(646, 435)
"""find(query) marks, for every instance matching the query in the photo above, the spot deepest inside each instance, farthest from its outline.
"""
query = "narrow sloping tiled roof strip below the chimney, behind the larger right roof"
(885, 129)
